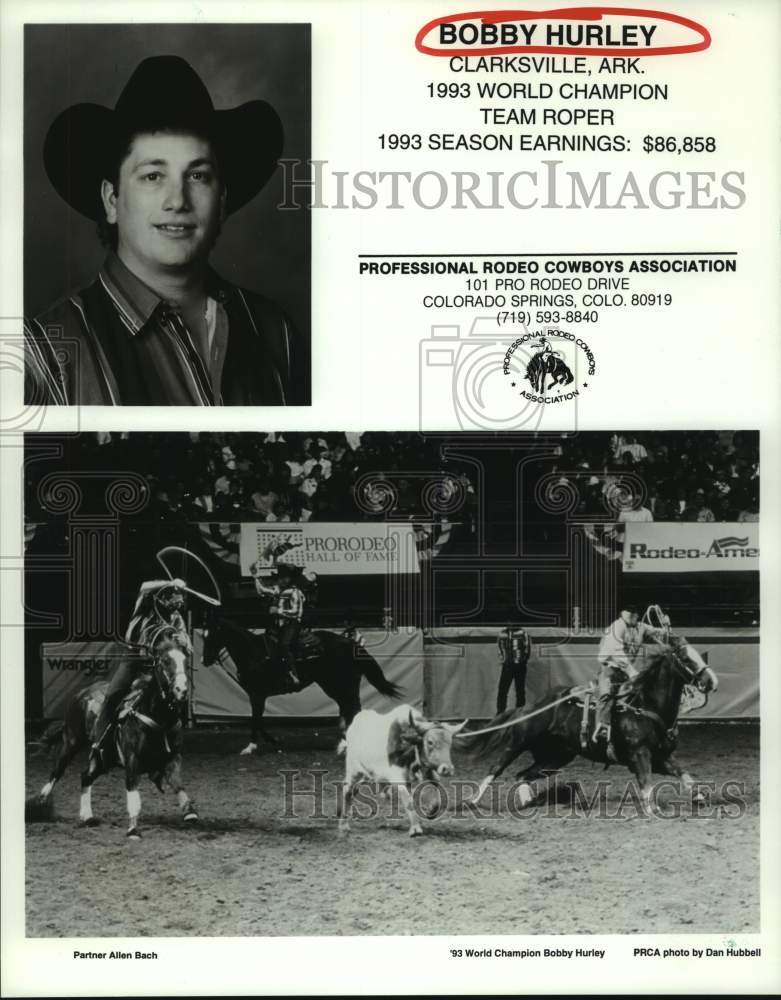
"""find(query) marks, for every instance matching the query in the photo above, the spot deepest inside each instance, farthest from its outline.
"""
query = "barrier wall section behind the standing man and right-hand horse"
(462, 669)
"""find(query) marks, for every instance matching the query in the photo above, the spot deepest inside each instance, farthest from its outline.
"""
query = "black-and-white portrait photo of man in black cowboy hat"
(158, 269)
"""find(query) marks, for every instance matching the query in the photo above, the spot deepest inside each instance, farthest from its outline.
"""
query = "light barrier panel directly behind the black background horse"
(217, 693)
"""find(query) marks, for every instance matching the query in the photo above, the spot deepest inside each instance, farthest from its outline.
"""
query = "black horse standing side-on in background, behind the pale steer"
(337, 667)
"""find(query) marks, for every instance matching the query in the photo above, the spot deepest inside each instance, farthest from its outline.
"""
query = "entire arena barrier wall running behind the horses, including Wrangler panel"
(453, 672)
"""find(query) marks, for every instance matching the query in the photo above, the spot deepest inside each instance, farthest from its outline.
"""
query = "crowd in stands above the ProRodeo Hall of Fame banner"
(274, 477)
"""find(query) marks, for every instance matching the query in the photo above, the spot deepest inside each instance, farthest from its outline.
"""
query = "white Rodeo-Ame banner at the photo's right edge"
(659, 547)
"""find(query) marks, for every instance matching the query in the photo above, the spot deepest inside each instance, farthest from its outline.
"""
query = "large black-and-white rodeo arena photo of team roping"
(344, 683)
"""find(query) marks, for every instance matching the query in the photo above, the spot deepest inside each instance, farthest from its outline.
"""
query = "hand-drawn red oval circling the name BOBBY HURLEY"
(563, 14)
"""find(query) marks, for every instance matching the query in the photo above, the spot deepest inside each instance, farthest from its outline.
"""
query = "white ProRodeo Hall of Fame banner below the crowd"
(338, 548)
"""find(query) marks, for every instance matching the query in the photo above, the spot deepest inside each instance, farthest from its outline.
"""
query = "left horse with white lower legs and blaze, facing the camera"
(146, 737)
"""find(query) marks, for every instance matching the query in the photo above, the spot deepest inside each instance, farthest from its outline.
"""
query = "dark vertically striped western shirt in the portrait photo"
(118, 343)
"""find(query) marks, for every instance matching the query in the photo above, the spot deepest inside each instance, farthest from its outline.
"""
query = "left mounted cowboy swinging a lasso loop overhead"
(160, 604)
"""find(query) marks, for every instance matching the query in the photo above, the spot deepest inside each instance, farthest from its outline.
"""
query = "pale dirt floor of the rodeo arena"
(247, 868)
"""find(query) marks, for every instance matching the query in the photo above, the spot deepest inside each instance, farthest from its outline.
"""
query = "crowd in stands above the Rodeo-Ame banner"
(664, 475)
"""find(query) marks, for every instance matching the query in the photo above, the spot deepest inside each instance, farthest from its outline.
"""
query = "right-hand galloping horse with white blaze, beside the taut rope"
(644, 732)
